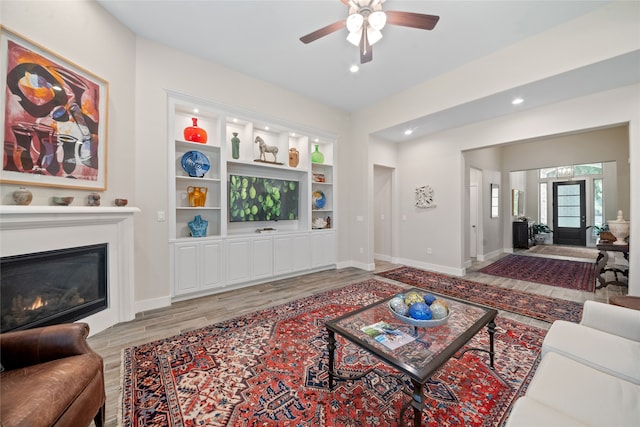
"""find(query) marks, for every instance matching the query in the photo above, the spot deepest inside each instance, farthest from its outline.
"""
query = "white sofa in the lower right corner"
(589, 374)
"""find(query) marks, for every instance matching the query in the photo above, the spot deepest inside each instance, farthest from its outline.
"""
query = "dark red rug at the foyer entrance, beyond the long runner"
(576, 275)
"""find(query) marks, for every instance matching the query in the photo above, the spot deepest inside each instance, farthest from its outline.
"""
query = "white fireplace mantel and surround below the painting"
(28, 229)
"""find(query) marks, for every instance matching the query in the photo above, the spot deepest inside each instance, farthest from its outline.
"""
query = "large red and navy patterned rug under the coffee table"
(269, 368)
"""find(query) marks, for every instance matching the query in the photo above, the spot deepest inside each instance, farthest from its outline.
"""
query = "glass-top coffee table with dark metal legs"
(429, 348)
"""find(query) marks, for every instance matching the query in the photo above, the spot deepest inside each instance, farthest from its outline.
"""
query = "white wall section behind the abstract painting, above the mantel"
(77, 31)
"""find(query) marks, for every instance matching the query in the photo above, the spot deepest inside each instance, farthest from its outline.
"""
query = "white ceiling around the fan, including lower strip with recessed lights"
(261, 39)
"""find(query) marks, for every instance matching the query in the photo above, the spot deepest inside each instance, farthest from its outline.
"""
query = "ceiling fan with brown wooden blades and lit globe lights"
(366, 19)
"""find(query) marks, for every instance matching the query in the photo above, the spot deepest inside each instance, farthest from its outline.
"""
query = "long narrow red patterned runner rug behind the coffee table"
(537, 306)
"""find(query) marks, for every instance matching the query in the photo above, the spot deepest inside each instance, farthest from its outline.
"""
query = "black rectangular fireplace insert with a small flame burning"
(58, 286)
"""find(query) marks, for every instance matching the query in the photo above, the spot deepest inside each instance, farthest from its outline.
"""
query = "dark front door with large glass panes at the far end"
(569, 213)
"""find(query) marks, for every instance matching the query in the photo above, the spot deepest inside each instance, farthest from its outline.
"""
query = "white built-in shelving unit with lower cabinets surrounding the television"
(233, 253)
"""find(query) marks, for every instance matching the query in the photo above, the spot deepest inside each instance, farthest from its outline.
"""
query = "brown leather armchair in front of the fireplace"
(51, 377)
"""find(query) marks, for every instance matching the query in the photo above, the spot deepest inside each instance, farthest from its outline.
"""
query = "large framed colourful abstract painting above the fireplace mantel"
(54, 118)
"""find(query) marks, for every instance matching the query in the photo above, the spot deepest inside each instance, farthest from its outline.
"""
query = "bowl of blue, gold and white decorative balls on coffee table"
(425, 311)
